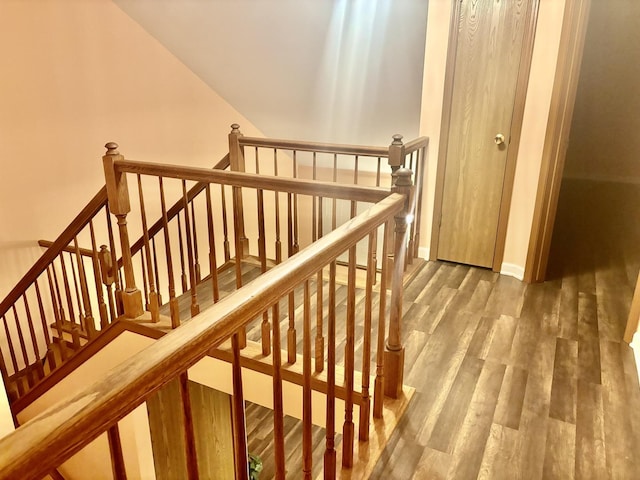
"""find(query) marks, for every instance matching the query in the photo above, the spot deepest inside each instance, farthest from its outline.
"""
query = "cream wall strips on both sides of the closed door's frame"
(534, 122)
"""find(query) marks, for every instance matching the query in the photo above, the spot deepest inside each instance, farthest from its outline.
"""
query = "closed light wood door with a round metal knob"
(488, 54)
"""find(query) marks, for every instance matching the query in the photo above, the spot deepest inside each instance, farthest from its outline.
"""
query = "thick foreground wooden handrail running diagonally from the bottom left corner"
(64, 429)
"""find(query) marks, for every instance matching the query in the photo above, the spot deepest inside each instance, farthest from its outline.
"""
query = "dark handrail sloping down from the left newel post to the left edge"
(63, 241)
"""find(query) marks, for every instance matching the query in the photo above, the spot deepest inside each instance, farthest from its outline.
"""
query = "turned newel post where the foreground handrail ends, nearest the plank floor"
(394, 351)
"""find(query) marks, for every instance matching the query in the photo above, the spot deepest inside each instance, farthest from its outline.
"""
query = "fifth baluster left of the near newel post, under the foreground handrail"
(307, 446)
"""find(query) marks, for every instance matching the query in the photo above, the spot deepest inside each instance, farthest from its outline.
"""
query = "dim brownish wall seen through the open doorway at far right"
(604, 142)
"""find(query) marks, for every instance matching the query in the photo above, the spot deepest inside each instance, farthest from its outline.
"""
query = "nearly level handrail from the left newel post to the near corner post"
(259, 182)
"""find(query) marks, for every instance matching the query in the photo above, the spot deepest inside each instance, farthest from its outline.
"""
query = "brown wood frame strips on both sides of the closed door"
(522, 84)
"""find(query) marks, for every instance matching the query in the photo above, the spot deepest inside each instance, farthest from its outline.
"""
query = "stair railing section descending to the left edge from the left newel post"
(66, 290)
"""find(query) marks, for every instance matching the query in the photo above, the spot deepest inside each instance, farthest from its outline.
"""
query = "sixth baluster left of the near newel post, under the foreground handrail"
(278, 409)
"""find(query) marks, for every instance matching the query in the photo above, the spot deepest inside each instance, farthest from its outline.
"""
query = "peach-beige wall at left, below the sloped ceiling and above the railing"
(74, 76)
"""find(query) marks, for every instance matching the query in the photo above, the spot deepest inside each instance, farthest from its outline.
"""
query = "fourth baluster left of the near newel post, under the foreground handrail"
(330, 431)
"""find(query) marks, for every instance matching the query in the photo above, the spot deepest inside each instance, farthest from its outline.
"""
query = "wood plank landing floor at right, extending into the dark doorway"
(527, 381)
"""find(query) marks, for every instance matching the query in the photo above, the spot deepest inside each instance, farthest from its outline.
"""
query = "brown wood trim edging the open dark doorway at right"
(565, 86)
